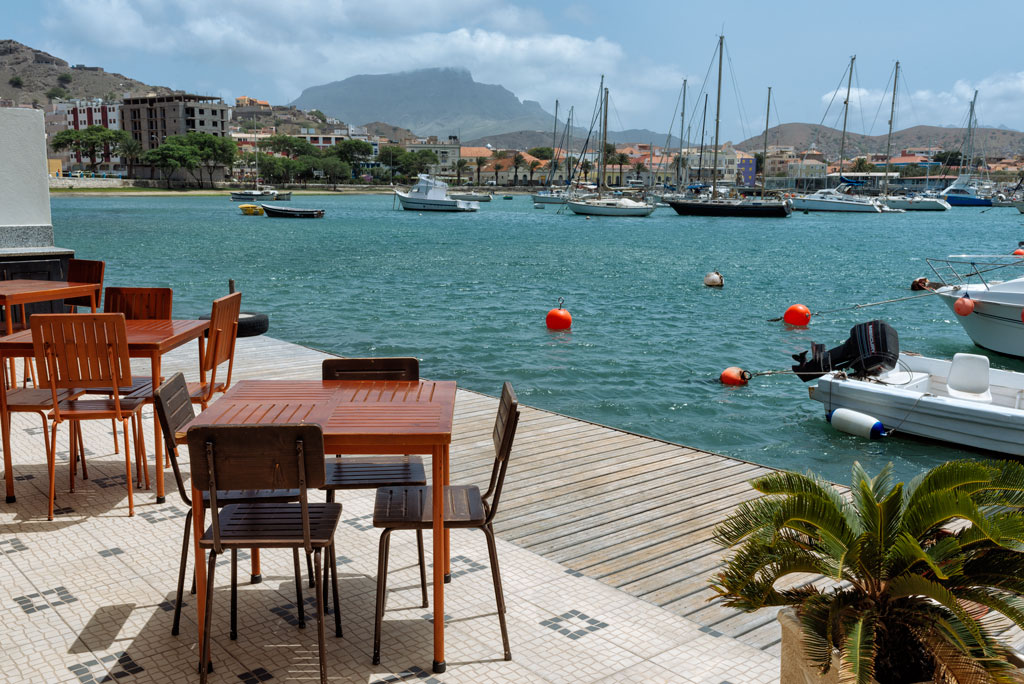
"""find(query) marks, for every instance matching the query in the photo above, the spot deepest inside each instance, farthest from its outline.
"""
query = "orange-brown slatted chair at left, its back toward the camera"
(82, 352)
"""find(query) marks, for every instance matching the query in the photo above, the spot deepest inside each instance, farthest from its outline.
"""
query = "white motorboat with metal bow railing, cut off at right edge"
(993, 317)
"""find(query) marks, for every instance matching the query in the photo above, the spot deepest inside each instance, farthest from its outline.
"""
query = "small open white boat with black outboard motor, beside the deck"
(963, 402)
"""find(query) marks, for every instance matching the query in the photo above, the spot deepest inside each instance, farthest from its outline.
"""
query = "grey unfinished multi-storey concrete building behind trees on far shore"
(151, 119)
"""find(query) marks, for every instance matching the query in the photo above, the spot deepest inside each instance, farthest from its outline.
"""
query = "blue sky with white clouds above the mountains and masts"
(545, 51)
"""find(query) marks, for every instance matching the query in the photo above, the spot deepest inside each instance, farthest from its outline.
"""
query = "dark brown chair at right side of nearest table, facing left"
(465, 507)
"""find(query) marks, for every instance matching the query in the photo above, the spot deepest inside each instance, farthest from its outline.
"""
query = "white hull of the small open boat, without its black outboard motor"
(963, 402)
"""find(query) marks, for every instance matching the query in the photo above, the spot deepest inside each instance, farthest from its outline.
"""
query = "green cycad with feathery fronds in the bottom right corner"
(918, 579)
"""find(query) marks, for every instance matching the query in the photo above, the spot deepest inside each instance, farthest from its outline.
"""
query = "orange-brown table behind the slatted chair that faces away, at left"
(147, 339)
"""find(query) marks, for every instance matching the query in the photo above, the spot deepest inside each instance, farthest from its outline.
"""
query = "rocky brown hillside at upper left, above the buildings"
(28, 75)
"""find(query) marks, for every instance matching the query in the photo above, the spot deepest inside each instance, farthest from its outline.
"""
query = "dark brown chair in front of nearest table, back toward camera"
(253, 457)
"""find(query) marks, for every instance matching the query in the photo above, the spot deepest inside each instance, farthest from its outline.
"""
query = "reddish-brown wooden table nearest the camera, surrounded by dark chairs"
(358, 417)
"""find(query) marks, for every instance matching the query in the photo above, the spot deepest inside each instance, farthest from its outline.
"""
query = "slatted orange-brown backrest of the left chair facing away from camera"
(81, 351)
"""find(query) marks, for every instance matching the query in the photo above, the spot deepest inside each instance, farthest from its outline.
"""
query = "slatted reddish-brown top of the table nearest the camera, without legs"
(365, 417)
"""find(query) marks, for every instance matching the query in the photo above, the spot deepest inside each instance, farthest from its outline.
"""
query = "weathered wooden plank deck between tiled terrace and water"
(633, 512)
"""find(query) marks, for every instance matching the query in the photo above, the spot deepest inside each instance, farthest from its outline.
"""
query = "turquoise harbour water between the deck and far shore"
(467, 294)
